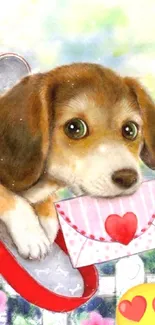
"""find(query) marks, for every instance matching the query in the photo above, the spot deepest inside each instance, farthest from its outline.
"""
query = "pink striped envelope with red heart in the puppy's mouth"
(98, 230)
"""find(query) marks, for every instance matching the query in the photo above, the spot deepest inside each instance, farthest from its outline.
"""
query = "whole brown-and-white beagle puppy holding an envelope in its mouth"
(81, 126)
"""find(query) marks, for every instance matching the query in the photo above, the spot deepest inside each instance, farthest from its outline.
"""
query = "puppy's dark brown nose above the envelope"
(125, 178)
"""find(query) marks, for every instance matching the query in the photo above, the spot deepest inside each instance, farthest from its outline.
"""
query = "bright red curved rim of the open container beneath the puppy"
(35, 293)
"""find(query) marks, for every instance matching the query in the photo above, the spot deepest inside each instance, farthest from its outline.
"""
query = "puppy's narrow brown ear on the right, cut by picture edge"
(147, 109)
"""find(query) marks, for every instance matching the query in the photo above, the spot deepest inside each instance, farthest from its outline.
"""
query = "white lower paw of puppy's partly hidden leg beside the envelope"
(51, 227)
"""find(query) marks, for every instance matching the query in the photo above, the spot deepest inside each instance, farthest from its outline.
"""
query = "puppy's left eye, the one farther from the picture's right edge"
(76, 129)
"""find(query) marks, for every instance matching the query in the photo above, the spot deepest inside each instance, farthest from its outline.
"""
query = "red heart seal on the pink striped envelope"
(121, 229)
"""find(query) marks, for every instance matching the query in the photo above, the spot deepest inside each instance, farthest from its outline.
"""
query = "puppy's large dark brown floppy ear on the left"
(22, 121)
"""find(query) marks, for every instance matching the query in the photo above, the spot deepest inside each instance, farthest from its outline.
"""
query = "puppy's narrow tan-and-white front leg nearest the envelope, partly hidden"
(48, 217)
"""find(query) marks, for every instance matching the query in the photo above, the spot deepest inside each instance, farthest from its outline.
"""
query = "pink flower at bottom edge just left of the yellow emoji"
(96, 319)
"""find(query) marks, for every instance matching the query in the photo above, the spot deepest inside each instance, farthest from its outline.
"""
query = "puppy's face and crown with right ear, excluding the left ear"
(102, 123)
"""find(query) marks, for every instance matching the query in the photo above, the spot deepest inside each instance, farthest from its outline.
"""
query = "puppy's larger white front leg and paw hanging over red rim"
(23, 225)
